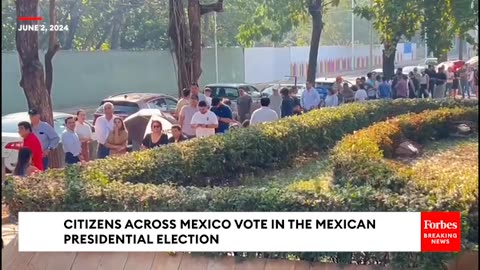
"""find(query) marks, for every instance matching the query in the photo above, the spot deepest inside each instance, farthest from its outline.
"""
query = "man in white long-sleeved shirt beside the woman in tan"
(103, 126)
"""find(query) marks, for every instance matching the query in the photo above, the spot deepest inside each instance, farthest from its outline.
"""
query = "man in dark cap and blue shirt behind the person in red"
(45, 133)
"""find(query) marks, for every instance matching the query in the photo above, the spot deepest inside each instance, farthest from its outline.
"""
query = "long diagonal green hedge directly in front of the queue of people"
(219, 159)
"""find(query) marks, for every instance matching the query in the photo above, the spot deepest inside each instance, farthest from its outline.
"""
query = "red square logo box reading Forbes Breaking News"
(441, 232)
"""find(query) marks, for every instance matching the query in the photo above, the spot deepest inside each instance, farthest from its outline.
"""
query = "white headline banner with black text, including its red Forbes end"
(230, 231)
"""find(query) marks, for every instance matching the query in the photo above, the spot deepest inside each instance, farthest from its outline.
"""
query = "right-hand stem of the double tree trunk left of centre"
(195, 38)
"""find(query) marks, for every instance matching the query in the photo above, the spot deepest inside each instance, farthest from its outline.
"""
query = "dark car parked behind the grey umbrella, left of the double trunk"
(126, 104)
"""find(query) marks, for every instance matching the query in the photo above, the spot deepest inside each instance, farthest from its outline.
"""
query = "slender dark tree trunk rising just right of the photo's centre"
(315, 10)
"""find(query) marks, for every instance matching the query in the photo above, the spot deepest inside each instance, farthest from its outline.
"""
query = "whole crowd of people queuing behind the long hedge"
(201, 115)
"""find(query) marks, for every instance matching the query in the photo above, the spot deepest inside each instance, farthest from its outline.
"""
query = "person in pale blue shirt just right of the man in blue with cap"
(72, 147)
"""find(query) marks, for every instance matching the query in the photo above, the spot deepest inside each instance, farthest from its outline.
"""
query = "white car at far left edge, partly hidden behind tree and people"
(11, 140)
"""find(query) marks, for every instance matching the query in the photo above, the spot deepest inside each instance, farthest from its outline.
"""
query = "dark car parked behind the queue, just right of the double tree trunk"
(231, 92)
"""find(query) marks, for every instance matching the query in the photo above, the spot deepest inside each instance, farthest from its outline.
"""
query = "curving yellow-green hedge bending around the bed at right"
(362, 159)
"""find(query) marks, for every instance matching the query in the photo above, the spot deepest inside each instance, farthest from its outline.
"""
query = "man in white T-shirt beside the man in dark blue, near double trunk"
(204, 121)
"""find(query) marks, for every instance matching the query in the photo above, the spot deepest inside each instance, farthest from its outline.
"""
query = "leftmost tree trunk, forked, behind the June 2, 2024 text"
(32, 74)
